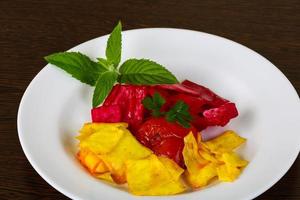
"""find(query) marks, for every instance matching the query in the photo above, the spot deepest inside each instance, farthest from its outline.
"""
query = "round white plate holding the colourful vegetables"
(55, 106)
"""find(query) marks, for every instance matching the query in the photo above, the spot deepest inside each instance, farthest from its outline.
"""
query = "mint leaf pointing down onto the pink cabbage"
(103, 87)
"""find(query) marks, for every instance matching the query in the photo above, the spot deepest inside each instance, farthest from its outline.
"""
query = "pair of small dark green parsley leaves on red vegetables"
(178, 113)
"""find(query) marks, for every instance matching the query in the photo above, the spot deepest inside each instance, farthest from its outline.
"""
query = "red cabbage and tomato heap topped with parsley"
(161, 116)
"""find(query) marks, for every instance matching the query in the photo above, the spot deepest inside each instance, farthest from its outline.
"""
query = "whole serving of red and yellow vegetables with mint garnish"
(145, 129)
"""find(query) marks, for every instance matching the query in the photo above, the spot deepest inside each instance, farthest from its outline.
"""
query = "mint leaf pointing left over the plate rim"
(78, 65)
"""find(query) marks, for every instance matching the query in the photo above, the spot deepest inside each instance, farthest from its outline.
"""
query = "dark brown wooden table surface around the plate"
(32, 29)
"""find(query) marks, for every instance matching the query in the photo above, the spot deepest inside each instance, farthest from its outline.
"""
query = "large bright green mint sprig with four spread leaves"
(106, 72)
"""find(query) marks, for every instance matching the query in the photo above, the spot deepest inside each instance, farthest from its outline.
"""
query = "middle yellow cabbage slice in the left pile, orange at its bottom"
(128, 148)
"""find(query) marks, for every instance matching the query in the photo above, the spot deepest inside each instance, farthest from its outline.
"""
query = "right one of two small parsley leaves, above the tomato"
(180, 113)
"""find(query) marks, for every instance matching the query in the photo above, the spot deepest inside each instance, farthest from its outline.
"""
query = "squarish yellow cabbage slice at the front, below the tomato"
(150, 177)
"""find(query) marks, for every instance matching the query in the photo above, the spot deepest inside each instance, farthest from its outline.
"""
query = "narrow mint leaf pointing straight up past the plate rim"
(114, 46)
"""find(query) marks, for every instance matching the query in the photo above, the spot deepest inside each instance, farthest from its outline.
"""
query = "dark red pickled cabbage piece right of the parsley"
(207, 108)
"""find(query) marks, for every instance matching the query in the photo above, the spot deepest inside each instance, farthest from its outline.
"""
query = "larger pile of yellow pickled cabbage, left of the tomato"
(124, 160)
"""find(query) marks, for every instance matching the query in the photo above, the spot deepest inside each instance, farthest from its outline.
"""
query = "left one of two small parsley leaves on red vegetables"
(154, 104)
